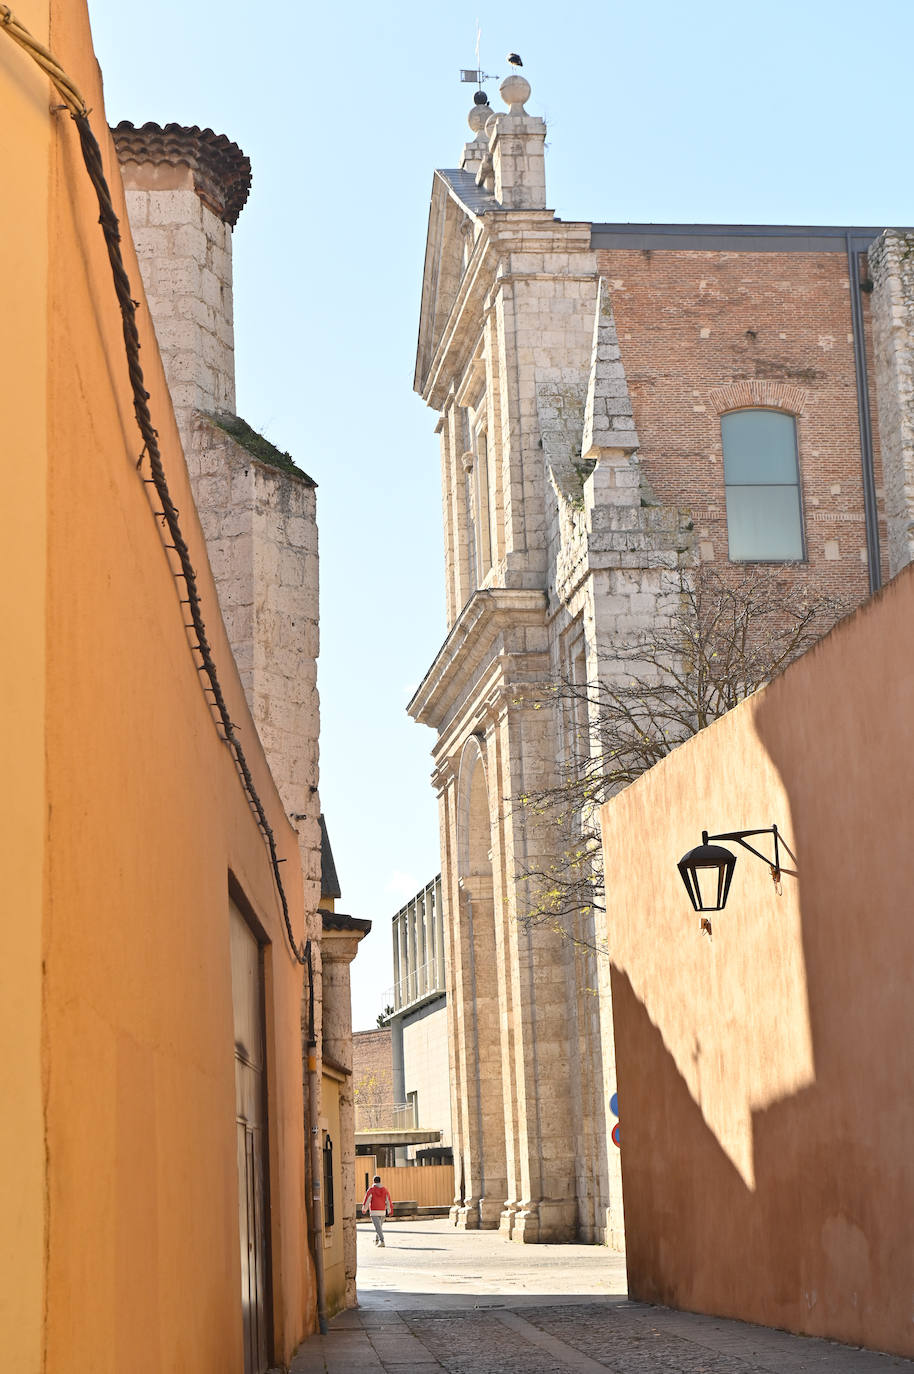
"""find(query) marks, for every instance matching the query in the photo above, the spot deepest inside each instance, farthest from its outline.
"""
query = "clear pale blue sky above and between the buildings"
(703, 113)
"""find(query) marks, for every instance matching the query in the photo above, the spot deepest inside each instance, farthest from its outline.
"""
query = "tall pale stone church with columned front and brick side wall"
(583, 376)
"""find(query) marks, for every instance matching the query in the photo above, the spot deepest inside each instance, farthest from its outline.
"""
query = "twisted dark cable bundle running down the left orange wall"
(108, 219)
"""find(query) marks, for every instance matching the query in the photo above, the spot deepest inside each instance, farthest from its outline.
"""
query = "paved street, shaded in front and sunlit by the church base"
(469, 1303)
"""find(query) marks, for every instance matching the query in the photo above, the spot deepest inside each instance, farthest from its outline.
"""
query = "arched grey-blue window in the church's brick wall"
(765, 520)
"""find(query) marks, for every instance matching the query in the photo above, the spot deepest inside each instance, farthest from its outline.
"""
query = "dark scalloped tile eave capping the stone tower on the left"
(221, 170)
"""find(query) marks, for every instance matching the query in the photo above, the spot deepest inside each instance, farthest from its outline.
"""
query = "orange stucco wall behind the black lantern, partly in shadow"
(766, 1077)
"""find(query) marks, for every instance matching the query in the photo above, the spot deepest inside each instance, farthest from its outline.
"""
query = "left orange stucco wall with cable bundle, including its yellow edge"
(126, 818)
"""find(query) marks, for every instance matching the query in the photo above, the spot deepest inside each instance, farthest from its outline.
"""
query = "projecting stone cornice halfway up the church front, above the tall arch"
(467, 649)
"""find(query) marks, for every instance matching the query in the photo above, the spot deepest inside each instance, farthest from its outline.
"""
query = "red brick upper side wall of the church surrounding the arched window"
(706, 332)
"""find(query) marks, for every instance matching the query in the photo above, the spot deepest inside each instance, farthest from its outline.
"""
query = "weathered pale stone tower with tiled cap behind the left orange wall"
(185, 192)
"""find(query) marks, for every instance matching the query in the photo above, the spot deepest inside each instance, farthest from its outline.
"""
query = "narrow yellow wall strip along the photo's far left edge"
(24, 211)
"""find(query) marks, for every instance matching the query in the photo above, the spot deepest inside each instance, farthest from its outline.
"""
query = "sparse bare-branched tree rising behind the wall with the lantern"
(725, 637)
